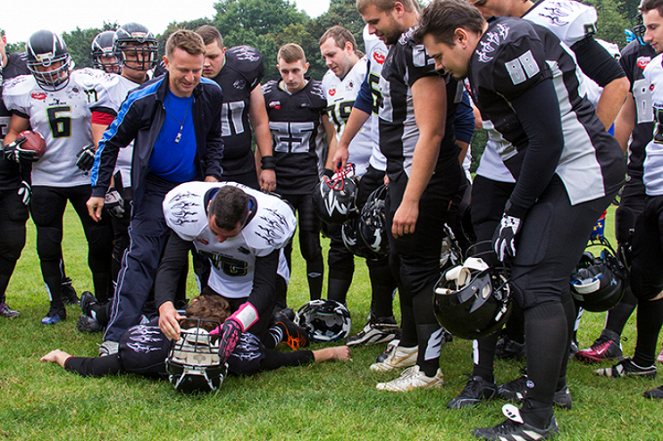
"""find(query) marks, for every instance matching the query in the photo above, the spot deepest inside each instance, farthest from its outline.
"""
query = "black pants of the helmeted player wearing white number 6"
(47, 208)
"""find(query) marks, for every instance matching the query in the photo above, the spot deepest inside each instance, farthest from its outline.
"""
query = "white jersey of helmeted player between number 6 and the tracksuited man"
(106, 92)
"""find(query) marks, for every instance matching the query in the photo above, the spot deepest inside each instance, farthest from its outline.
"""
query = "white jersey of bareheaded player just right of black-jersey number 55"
(341, 94)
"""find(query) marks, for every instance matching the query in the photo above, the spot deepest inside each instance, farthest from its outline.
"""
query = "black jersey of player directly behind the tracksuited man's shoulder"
(241, 73)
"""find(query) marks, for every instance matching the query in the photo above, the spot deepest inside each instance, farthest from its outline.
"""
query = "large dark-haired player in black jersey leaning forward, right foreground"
(526, 86)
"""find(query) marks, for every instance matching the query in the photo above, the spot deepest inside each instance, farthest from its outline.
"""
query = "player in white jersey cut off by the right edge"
(647, 248)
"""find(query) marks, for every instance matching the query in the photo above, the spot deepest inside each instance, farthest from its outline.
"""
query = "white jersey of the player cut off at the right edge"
(653, 164)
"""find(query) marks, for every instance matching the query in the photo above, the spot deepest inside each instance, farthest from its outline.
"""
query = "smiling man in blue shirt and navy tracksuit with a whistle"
(175, 123)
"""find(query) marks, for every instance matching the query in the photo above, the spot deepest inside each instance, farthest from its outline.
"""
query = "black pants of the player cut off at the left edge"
(13, 215)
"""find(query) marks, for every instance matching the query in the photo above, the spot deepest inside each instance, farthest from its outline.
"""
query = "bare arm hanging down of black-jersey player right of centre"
(429, 97)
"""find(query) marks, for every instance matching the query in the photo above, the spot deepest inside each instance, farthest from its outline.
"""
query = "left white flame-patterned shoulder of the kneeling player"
(184, 209)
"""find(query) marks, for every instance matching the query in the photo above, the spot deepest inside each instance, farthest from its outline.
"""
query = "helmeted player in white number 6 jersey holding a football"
(51, 102)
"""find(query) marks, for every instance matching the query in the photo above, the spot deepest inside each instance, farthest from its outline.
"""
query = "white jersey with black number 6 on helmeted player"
(62, 118)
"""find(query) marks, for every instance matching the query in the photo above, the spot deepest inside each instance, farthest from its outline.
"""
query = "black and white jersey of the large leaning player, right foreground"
(513, 56)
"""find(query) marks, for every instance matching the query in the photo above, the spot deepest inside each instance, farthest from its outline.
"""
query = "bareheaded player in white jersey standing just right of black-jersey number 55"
(341, 84)
